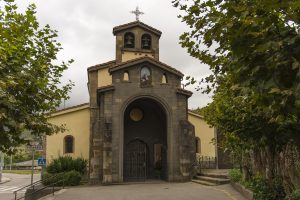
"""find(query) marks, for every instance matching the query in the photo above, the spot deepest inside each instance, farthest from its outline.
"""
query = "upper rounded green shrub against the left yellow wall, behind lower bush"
(67, 163)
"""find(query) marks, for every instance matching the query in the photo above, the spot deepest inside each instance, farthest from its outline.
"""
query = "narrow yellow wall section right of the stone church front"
(205, 133)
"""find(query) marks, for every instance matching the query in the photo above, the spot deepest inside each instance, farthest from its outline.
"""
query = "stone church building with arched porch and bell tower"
(137, 115)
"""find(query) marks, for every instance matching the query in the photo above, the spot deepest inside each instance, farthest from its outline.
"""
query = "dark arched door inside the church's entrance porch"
(135, 161)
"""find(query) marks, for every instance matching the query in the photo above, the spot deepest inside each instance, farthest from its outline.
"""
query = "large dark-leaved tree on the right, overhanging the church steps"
(253, 50)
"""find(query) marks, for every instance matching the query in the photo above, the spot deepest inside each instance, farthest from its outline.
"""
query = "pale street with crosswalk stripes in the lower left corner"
(17, 181)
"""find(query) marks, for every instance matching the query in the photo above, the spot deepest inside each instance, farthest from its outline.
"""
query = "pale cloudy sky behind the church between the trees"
(85, 32)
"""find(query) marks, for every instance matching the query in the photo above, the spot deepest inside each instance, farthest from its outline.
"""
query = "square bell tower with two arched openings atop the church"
(135, 40)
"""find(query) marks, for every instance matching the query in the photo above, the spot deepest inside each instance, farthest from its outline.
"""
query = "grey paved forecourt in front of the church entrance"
(158, 191)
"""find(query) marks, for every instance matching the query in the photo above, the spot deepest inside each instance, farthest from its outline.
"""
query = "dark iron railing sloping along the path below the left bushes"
(39, 186)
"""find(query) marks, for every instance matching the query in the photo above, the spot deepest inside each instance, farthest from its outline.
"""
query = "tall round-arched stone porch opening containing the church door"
(145, 141)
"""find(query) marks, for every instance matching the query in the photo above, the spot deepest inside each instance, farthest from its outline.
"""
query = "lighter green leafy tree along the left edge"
(29, 78)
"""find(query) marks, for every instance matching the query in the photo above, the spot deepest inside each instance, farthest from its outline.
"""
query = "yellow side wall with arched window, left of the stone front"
(77, 121)
